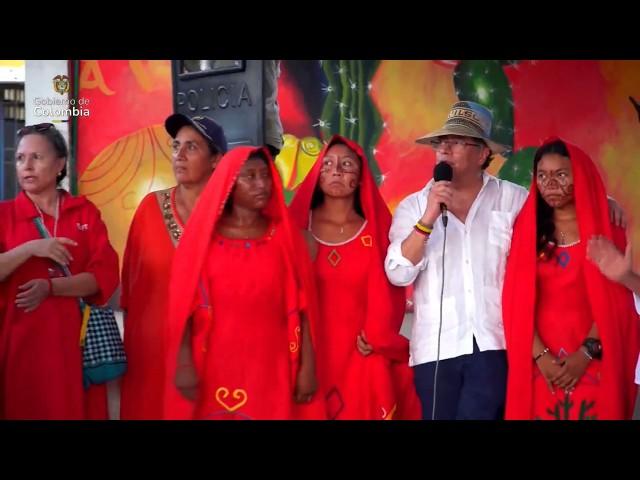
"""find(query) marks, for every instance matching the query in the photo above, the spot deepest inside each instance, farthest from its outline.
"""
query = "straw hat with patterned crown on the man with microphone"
(468, 119)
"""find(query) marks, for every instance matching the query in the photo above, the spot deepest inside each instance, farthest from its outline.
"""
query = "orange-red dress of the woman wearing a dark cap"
(145, 298)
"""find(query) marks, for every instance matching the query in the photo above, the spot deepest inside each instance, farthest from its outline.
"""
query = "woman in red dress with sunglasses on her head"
(40, 353)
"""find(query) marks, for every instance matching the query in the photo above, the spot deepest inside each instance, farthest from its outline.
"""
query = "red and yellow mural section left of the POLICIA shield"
(123, 150)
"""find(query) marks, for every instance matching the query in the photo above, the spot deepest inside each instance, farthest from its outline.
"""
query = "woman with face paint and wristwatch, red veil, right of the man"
(572, 333)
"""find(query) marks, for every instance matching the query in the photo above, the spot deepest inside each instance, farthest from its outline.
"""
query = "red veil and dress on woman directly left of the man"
(355, 295)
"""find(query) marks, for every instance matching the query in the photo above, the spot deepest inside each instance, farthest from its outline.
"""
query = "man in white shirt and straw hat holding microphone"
(457, 339)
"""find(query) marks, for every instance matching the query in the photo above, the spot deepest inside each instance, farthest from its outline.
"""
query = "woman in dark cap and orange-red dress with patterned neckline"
(198, 144)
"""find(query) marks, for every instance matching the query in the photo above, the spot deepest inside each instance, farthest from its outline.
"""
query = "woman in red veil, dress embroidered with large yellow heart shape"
(239, 340)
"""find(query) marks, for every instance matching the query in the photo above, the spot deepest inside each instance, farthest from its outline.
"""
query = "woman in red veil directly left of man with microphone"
(362, 358)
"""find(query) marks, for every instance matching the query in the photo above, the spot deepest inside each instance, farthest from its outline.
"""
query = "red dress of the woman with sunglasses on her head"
(40, 358)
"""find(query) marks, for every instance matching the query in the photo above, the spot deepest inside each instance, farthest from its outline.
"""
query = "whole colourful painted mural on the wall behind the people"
(123, 150)
